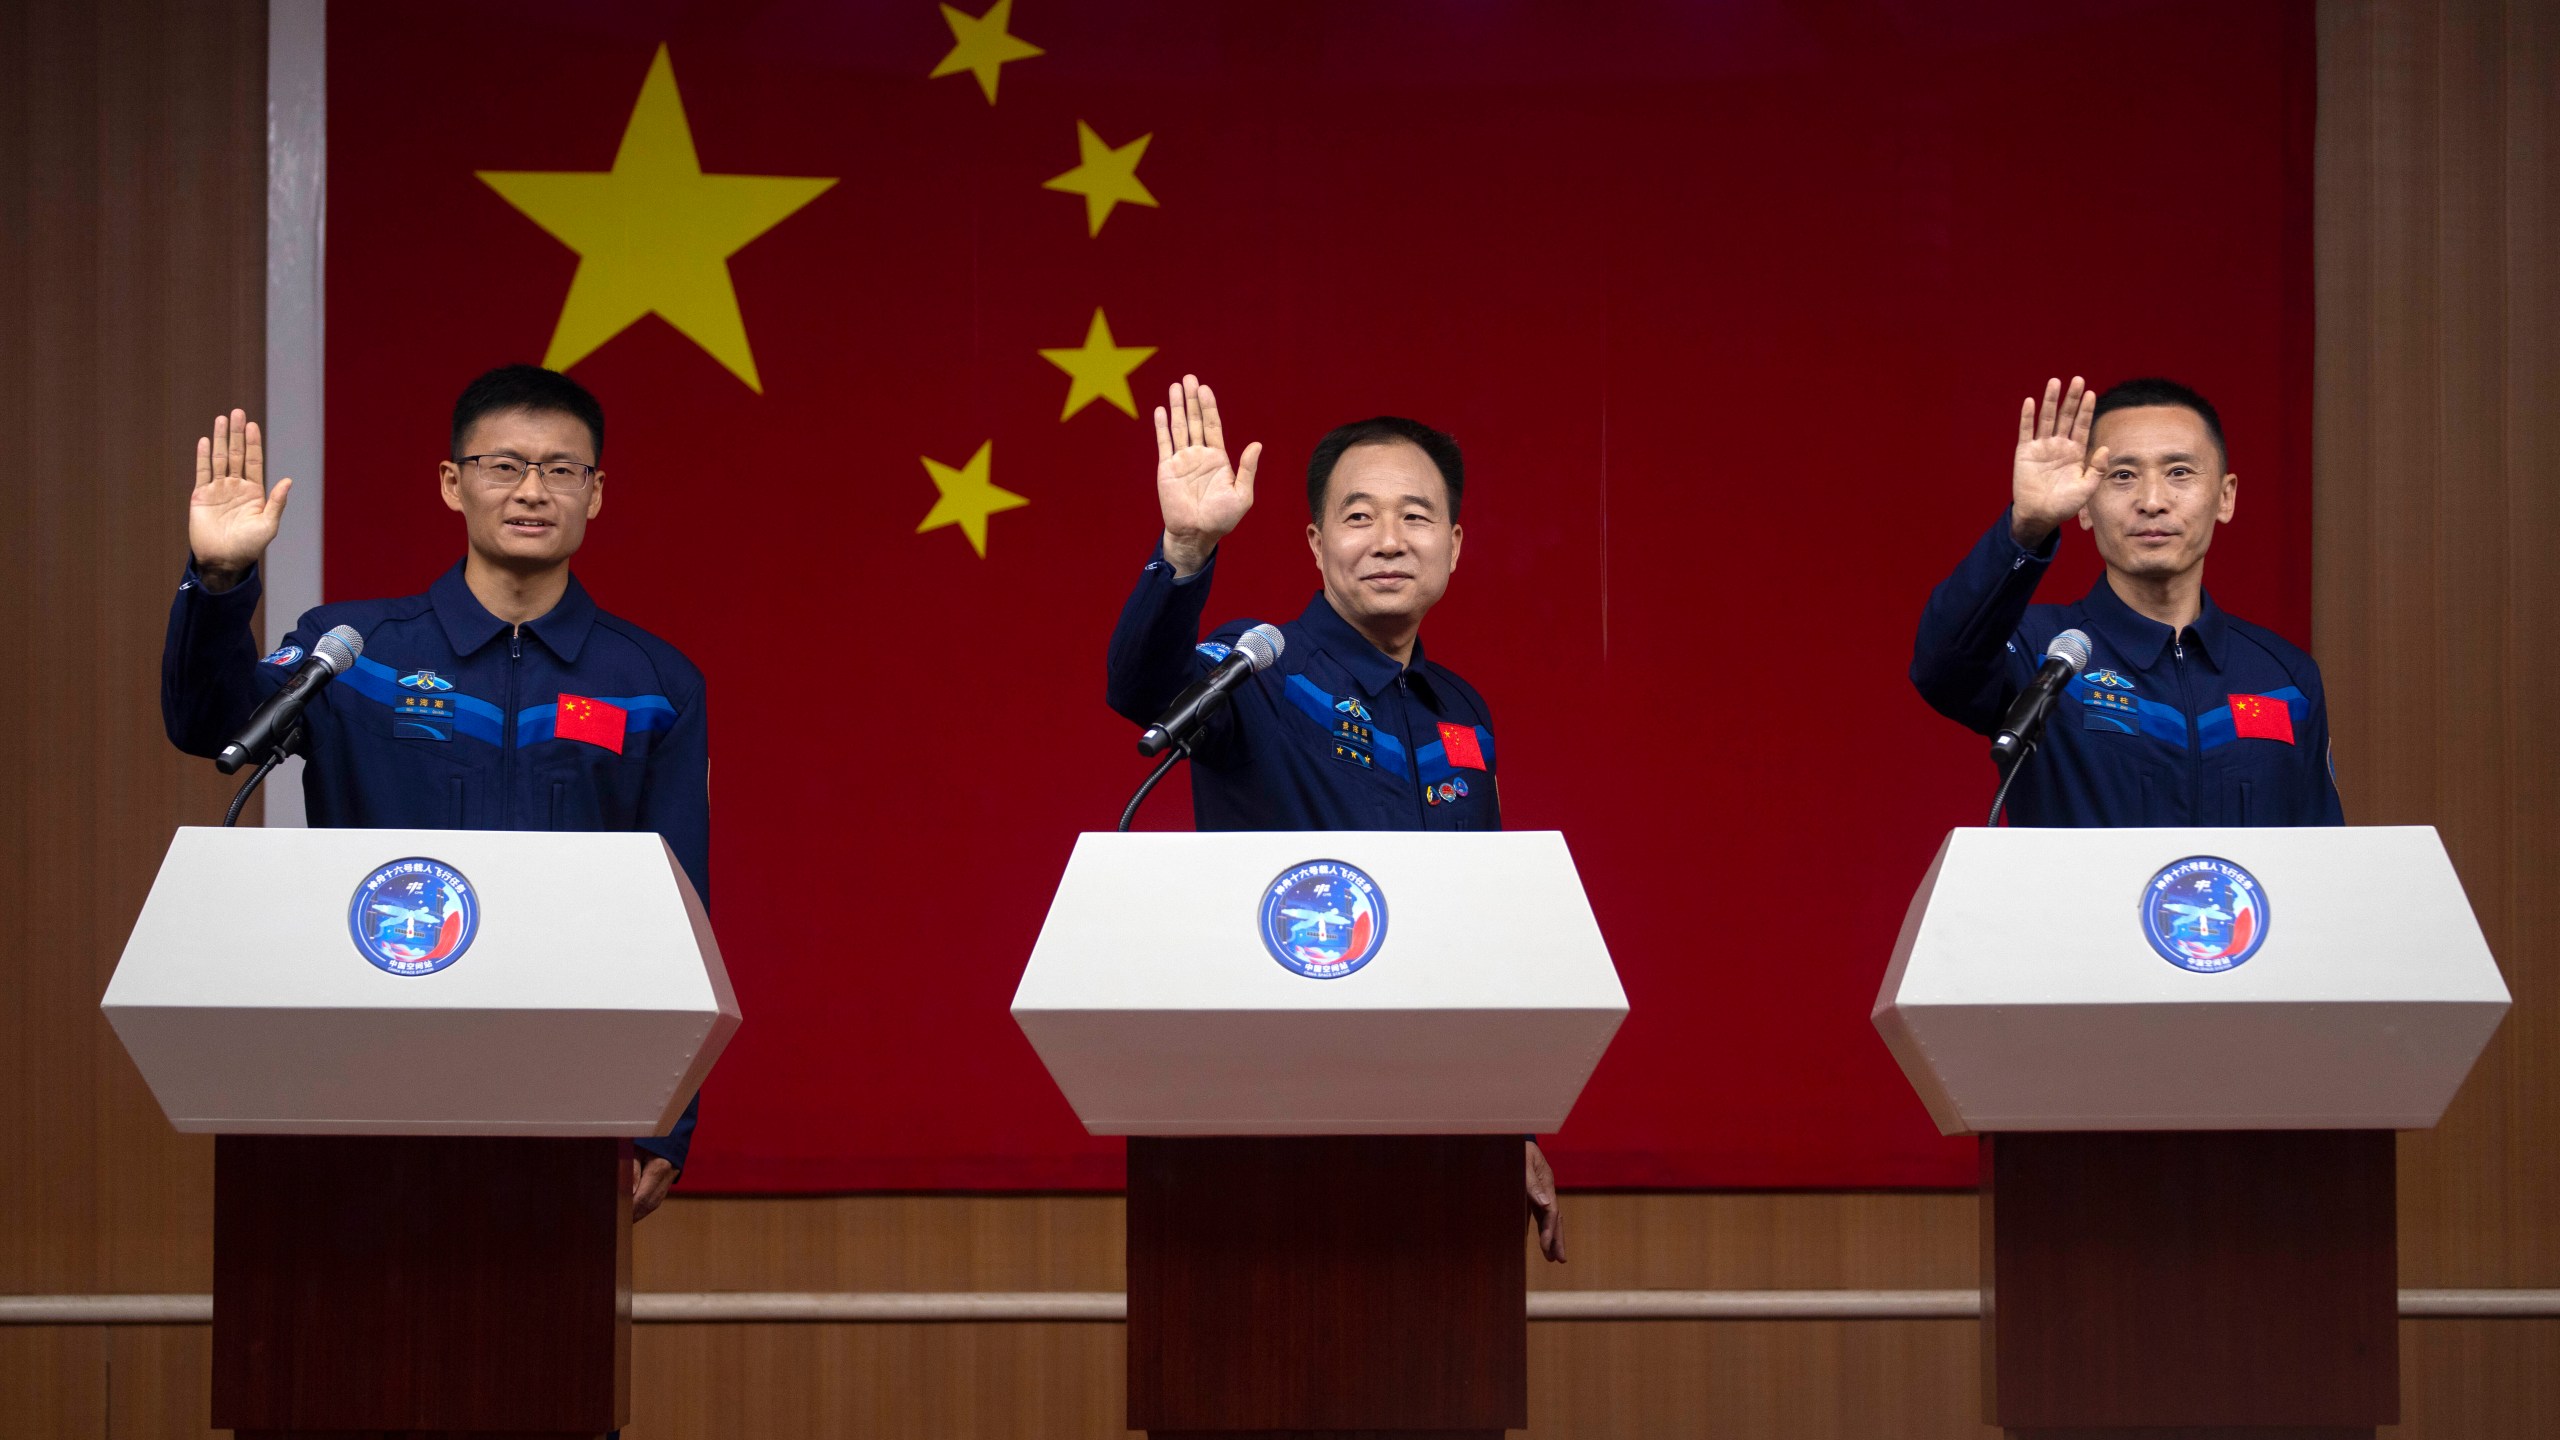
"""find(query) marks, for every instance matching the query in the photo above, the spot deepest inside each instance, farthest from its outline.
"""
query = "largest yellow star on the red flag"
(654, 234)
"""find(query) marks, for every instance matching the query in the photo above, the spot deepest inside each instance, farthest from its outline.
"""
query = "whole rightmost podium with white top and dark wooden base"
(2188, 1054)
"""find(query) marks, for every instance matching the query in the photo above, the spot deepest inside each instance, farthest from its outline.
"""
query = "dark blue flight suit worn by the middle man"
(1332, 737)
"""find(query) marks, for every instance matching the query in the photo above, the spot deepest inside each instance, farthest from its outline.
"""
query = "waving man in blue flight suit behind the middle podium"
(1353, 729)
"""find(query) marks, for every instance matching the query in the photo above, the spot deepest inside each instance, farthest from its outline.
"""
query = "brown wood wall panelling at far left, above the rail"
(132, 304)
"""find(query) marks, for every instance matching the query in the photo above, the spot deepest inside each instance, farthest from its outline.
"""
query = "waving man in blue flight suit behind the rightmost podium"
(2185, 716)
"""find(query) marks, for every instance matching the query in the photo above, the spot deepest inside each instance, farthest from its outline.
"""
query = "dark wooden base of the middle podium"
(1327, 1285)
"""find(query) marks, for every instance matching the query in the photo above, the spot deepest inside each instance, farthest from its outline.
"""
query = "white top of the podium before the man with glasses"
(590, 998)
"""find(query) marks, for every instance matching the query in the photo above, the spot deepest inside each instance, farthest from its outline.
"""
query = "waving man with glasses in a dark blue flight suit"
(500, 698)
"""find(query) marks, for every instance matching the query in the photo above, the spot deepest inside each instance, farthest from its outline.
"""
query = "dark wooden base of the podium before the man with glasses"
(421, 1288)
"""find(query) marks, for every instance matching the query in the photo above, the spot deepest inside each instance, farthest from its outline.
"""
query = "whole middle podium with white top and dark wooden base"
(1325, 1049)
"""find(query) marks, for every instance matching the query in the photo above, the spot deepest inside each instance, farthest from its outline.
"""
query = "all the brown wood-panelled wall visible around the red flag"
(132, 201)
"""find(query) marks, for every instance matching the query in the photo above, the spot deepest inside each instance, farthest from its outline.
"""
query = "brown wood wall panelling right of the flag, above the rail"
(2438, 547)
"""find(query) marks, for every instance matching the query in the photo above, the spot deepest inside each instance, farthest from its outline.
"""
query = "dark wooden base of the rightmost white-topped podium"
(2190, 1285)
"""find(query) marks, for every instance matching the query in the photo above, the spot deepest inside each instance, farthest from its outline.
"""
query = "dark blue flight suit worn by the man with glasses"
(447, 721)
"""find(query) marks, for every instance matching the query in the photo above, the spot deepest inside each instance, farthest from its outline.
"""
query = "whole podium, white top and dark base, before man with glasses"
(424, 1054)
